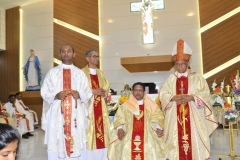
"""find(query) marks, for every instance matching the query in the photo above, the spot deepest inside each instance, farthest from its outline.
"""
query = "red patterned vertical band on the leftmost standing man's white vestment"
(67, 111)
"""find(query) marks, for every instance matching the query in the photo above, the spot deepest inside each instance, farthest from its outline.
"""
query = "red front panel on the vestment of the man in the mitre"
(184, 126)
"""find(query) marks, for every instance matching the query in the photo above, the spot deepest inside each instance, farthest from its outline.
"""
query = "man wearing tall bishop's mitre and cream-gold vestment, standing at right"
(186, 101)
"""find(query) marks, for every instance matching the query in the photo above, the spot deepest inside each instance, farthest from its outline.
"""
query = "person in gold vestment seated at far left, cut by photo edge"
(5, 117)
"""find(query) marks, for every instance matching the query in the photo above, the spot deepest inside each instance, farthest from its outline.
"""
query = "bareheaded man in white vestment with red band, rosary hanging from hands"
(66, 93)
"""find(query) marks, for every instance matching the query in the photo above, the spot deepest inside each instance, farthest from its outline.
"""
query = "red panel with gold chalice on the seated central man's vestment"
(138, 135)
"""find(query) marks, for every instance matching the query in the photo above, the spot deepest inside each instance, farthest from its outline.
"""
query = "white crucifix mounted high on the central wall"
(146, 7)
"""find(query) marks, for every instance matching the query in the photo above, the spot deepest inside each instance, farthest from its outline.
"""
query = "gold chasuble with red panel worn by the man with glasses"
(99, 125)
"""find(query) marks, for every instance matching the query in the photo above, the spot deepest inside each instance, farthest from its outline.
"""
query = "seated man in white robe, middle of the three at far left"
(23, 125)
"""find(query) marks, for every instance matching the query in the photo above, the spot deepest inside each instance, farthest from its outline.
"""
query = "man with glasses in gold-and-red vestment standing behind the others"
(99, 124)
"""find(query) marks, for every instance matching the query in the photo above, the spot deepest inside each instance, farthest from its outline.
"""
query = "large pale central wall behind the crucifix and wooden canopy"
(122, 38)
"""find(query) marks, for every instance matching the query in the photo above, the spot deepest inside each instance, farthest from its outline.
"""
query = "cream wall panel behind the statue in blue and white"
(37, 34)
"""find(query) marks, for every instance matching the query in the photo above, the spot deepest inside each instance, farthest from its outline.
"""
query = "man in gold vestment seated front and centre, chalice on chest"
(138, 129)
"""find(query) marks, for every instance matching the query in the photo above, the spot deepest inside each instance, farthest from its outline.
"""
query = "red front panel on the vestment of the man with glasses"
(98, 116)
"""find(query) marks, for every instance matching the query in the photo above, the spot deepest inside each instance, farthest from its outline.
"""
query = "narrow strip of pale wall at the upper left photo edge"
(2, 29)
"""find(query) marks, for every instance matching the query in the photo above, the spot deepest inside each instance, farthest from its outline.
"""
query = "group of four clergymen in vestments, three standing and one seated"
(77, 126)
